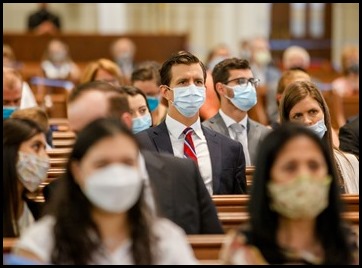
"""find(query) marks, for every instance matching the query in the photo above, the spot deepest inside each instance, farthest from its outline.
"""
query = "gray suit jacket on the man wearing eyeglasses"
(256, 132)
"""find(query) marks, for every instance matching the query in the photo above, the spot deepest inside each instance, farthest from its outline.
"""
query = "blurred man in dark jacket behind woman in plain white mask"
(177, 189)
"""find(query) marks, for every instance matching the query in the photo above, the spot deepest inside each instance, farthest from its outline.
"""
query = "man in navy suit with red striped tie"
(220, 159)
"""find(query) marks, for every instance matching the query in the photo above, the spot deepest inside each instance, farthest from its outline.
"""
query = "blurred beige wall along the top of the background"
(206, 24)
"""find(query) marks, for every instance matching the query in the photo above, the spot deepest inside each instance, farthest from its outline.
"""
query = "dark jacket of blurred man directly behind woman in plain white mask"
(179, 191)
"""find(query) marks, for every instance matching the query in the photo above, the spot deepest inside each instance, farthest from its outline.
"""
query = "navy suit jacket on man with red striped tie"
(227, 157)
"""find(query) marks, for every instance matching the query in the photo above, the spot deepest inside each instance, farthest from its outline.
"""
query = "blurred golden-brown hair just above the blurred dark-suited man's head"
(103, 70)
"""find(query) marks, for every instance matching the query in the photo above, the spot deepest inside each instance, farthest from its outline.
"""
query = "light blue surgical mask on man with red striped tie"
(188, 100)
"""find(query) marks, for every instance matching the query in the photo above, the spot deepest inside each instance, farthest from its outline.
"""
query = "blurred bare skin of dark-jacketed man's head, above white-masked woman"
(88, 106)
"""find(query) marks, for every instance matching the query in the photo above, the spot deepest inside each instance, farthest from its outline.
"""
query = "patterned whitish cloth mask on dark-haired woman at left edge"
(32, 170)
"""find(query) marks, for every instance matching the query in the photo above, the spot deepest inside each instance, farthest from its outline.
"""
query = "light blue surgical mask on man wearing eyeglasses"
(244, 97)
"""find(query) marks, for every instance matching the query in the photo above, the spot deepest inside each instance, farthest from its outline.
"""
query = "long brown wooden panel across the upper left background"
(29, 47)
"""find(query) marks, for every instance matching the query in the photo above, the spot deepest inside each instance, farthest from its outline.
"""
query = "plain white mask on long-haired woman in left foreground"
(114, 188)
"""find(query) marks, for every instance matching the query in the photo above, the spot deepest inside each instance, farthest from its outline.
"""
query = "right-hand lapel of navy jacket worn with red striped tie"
(213, 143)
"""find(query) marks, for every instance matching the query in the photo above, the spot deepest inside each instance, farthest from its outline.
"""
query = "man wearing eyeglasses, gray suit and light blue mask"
(235, 87)
